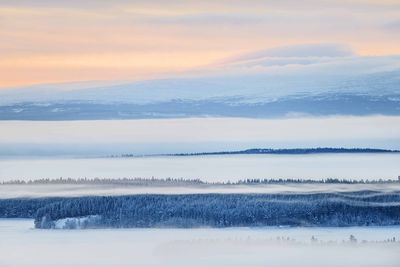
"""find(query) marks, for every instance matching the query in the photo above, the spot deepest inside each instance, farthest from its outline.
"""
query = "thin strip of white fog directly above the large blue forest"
(73, 190)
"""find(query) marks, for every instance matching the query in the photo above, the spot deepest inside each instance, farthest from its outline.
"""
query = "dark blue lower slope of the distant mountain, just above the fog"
(238, 107)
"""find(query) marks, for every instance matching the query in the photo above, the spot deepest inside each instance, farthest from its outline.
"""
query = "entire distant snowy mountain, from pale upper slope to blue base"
(246, 95)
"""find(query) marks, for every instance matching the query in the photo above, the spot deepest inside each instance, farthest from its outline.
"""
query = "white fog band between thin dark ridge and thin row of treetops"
(209, 168)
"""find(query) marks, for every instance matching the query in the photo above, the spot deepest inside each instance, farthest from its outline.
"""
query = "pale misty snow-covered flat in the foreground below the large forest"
(21, 246)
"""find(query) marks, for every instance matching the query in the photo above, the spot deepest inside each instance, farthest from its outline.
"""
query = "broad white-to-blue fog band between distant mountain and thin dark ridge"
(100, 138)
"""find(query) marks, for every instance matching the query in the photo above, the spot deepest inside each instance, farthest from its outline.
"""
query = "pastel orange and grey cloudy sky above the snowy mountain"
(62, 41)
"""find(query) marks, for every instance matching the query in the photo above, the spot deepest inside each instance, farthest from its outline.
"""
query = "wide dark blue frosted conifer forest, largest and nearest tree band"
(363, 208)
